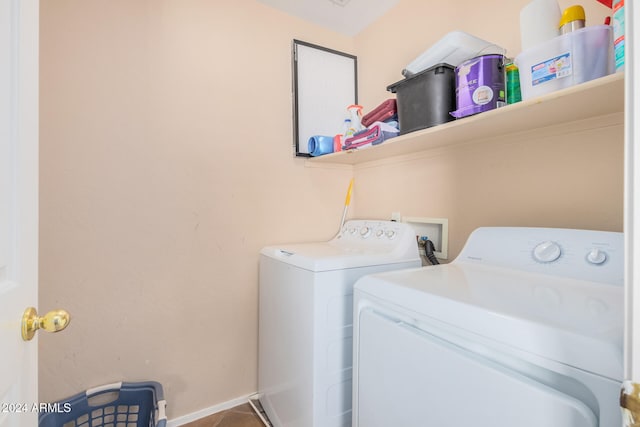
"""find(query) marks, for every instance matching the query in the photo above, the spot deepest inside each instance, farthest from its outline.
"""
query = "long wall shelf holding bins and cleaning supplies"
(588, 100)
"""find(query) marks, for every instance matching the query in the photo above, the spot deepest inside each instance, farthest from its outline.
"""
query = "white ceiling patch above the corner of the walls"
(348, 17)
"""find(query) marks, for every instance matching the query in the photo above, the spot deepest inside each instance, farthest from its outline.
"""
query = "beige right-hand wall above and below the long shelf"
(571, 177)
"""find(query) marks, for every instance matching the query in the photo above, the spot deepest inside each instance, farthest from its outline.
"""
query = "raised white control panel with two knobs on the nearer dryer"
(580, 254)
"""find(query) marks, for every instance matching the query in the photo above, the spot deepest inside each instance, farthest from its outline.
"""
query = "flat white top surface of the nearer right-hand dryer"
(575, 322)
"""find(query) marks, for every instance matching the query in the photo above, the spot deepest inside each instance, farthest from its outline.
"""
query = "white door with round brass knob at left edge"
(18, 207)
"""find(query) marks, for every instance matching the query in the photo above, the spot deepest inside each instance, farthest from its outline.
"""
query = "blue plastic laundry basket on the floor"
(123, 404)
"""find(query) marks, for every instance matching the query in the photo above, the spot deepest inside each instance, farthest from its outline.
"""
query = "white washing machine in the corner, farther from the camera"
(306, 317)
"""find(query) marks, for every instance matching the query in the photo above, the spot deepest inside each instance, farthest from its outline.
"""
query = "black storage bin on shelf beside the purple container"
(426, 98)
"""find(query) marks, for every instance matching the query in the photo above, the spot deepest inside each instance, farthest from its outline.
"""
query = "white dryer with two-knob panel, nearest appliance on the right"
(524, 328)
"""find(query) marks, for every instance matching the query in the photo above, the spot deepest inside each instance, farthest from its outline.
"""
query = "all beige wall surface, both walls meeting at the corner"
(166, 164)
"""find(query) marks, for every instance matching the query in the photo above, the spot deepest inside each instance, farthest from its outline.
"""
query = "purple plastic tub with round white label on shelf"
(480, 85)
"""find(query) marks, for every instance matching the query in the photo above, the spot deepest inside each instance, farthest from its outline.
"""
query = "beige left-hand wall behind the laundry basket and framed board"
(166, 164)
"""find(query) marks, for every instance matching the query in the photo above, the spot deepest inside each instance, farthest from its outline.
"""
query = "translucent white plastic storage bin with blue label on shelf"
(566, 60)
